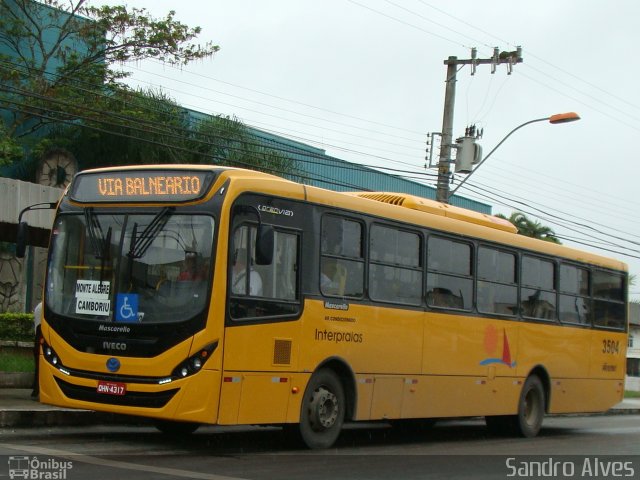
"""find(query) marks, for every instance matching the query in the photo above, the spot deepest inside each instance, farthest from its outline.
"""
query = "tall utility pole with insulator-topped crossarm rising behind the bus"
(444, 163)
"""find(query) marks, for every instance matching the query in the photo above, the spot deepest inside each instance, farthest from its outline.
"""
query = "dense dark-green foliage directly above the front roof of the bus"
(149, 127)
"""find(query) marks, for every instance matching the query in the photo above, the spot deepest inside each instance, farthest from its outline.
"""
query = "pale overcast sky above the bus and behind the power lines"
(364, 79)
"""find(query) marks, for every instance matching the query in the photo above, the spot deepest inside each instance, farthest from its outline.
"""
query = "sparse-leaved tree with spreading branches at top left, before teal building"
(60, 51)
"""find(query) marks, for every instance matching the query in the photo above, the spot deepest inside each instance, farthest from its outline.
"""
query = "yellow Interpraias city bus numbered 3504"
(212, 295)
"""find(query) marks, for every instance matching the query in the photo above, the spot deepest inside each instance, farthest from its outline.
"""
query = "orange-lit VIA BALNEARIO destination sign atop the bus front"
(141, 186)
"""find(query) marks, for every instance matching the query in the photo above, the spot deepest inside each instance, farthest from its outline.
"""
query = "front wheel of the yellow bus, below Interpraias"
(323, 409)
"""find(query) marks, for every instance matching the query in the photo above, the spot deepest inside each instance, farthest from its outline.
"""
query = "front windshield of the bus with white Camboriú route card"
(133, 268)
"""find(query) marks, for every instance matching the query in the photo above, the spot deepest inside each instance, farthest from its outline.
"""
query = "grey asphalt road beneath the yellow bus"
(568, 447)
